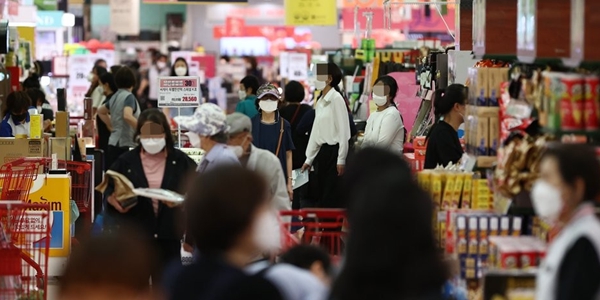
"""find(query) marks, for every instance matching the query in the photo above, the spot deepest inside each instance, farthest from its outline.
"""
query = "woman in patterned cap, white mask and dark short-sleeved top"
(272, 132)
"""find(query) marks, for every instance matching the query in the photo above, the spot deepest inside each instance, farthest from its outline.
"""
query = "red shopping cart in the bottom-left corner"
(24, 244)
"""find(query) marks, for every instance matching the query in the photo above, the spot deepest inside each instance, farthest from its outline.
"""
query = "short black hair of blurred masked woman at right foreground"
(583, 165)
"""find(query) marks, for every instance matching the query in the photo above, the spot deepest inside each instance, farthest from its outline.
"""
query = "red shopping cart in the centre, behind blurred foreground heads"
(323, 227)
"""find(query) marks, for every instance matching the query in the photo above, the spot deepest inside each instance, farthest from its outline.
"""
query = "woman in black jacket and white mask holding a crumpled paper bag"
(154, 163)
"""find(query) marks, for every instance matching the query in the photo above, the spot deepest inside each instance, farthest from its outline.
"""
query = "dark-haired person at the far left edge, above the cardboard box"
(16, 115)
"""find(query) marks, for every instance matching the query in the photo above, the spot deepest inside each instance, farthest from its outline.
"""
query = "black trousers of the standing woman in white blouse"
(327, 179)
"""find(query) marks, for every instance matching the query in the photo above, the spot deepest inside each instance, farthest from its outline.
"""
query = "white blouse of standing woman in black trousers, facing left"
(331, 127)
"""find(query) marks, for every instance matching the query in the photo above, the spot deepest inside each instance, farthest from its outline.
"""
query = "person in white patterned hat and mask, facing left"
(209, 131)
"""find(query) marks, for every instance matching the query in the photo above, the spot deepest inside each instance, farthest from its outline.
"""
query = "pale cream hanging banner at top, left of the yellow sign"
(125, 17)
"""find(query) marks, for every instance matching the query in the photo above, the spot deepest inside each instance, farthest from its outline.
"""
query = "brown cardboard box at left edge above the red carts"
(13, 148)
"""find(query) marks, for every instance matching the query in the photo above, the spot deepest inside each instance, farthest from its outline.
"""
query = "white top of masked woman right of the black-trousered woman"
(385, 130)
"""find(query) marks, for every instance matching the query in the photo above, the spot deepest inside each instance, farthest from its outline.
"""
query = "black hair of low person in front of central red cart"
(304, 256)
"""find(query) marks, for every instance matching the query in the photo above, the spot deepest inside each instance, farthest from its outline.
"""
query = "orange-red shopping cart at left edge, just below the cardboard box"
(16, 179)
